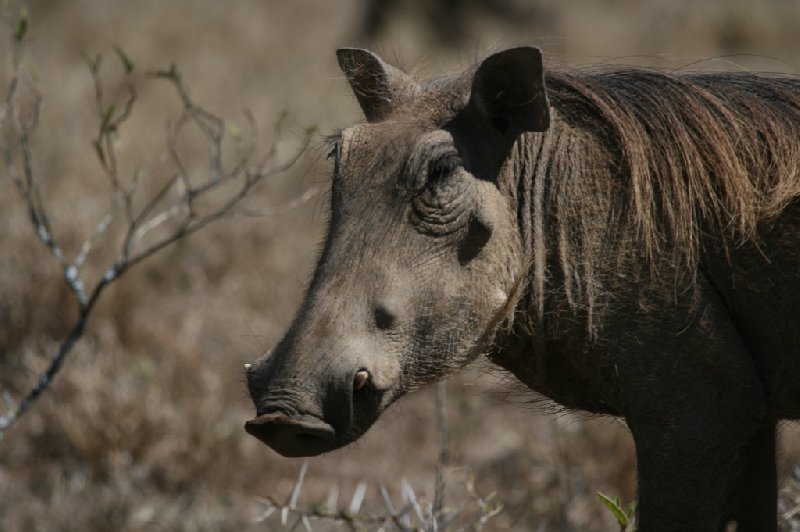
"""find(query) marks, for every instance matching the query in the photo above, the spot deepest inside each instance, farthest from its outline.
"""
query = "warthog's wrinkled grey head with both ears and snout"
(422, 256)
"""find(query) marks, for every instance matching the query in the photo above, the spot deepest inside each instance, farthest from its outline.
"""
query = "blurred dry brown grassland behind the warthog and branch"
(143, 428)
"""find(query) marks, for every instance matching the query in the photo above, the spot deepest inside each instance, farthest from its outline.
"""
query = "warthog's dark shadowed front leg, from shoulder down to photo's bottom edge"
(697, 411)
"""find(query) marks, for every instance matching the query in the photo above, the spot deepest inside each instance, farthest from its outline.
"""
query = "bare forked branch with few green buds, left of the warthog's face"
(170, 214)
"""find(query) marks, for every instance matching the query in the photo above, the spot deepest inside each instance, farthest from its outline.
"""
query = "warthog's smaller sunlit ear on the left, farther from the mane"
(377, 85)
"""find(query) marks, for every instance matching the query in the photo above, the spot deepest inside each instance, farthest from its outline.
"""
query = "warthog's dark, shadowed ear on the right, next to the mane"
(508, 88)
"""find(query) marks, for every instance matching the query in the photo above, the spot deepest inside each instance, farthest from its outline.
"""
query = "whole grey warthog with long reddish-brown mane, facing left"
(624, 241)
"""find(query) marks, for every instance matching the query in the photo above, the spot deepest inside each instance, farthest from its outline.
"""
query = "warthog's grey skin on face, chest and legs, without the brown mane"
(425, 268)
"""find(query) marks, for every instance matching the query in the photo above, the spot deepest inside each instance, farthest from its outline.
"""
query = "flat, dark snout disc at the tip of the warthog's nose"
(293, 437)
